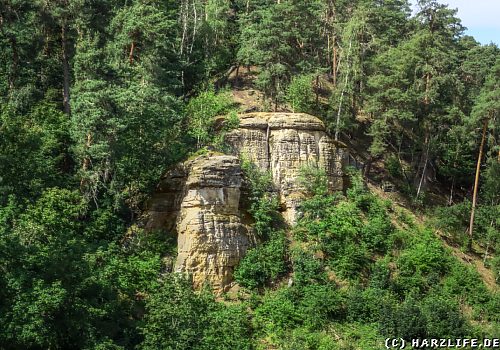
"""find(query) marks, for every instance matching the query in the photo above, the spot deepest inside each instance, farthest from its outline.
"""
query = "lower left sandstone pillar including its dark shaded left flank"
(200, 201)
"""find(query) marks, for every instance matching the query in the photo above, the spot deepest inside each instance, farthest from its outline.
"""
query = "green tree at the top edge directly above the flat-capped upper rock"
(274, 39)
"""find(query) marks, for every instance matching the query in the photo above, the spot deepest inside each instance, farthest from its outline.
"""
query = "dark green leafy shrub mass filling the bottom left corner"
(51, 282)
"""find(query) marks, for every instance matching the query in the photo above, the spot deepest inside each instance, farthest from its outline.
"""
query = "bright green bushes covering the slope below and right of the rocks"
(372, 279)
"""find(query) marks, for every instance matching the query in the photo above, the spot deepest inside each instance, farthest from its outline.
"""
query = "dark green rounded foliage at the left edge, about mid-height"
(33, 151)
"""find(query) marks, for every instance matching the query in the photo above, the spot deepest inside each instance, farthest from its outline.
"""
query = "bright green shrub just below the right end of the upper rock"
(348, 230)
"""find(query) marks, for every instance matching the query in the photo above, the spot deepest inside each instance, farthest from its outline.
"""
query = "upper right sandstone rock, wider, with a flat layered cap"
(283, 143)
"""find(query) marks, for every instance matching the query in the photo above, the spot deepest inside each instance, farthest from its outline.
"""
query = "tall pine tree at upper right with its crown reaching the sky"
(413, 91)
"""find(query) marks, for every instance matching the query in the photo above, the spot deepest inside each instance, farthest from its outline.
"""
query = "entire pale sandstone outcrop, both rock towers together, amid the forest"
(201, 199)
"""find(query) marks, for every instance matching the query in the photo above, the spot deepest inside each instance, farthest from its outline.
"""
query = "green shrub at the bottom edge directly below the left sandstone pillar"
(179, 318)
